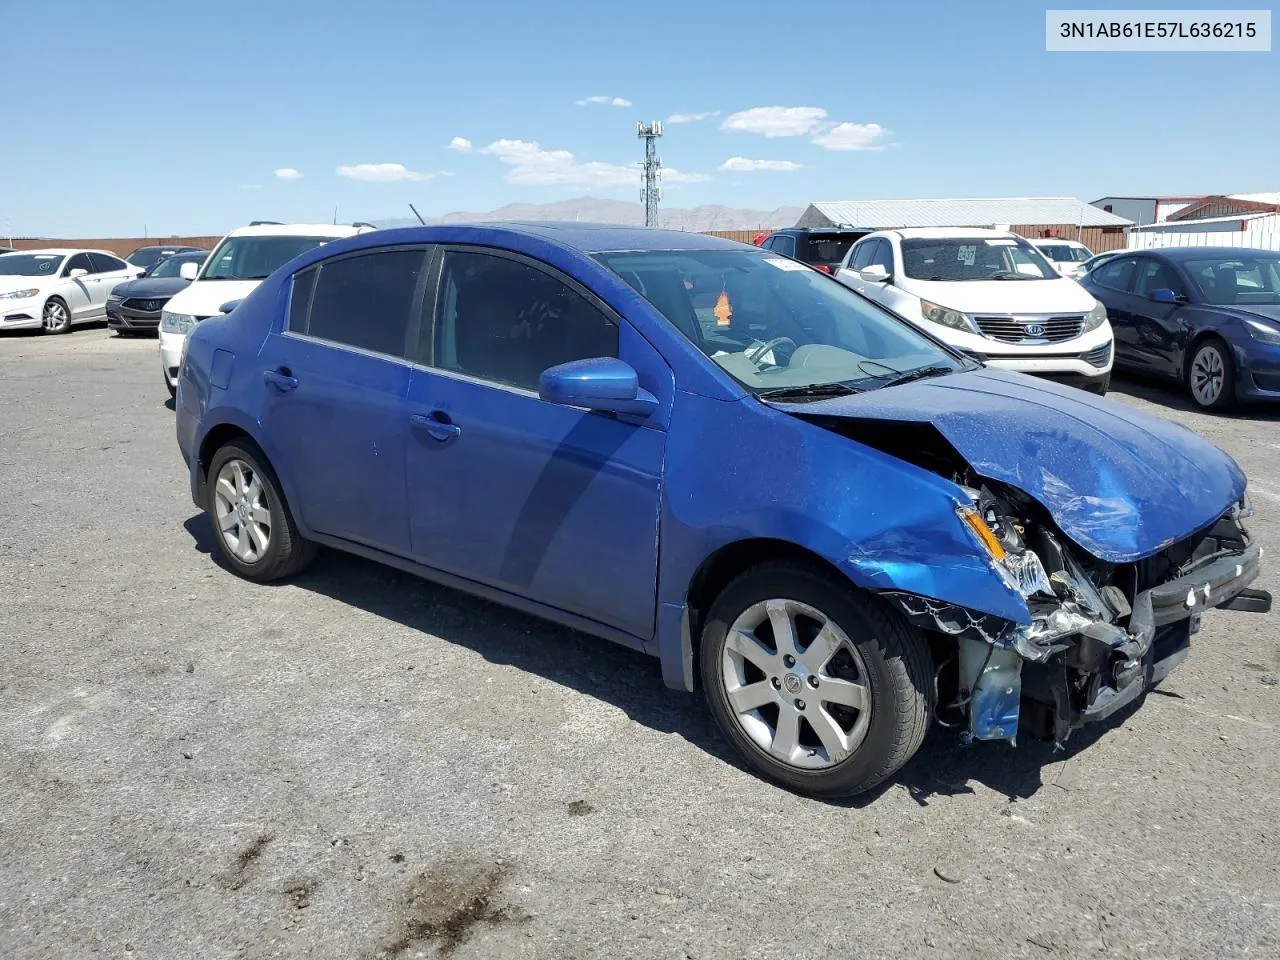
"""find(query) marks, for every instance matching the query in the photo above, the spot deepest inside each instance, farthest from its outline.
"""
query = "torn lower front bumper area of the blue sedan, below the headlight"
(1089, 652)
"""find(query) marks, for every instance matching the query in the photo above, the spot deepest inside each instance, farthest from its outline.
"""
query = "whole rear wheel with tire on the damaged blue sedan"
(258, 555)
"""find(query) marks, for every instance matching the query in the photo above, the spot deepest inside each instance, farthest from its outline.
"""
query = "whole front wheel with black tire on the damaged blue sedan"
(870, 647)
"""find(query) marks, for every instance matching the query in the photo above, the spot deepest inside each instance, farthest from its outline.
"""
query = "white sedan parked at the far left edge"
(56, 289)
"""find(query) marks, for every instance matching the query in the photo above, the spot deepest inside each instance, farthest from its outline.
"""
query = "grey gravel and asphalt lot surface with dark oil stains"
(362, 765)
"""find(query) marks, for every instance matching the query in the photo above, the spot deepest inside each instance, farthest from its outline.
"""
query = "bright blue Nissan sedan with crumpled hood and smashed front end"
(835, 525)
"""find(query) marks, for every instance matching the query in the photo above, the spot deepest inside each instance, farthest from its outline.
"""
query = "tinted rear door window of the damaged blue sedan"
(367, 301)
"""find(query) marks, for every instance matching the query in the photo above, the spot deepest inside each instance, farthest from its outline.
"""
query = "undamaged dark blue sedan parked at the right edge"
(1206, 317)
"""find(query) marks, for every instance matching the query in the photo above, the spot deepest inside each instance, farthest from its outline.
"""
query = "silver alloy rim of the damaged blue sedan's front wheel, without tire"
(796, 684)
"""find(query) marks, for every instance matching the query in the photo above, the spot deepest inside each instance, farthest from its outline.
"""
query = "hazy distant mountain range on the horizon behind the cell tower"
(604, 211)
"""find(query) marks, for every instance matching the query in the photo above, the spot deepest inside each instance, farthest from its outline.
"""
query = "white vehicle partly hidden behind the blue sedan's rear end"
(241, 260)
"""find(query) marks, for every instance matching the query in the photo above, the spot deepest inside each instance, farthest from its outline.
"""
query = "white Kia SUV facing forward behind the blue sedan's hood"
(990, 295)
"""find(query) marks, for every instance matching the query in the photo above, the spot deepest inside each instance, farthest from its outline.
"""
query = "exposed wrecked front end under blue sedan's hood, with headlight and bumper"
(1099, 636)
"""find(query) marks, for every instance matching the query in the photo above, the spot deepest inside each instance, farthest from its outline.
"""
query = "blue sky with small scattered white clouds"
(177, 117)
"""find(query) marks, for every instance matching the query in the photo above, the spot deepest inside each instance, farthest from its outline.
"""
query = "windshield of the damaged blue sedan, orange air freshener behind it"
(772, 323)
